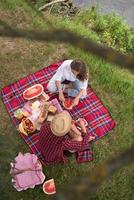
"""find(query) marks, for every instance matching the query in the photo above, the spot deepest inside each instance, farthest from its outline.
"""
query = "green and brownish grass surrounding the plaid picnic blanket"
(115, 87)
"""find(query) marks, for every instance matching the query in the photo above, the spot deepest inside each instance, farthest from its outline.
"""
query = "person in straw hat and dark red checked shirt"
(61, 134)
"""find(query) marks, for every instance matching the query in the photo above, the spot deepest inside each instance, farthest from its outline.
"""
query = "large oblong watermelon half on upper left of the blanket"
(33, 92)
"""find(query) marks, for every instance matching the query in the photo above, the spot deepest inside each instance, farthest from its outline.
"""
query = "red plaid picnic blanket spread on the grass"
(91, 108)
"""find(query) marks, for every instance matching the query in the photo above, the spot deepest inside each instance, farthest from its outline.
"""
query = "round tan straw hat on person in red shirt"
(61, 123)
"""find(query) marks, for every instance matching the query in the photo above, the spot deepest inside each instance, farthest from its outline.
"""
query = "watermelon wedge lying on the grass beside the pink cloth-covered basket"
(49, 187)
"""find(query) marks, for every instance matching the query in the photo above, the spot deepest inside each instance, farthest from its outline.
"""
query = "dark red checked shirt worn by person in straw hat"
(55, 146)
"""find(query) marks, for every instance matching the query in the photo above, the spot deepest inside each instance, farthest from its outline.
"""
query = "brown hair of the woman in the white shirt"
(79, 66)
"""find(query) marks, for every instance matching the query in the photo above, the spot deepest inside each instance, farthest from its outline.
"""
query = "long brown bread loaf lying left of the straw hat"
(44, 112)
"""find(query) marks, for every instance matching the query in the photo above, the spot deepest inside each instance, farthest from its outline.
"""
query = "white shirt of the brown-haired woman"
(64, 72)
